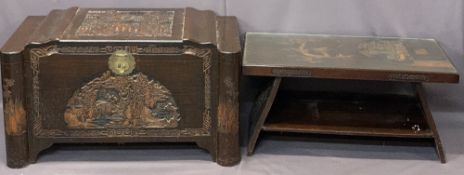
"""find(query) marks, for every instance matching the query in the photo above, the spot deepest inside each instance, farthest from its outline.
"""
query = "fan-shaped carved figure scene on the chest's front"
(122, 102)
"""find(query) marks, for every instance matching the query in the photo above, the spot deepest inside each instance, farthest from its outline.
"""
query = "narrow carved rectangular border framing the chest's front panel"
(37, 53)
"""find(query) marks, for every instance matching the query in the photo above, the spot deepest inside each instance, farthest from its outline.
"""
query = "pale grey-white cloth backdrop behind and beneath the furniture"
(442, 20)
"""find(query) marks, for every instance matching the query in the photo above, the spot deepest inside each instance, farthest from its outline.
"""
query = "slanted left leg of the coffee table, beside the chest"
(261, 110)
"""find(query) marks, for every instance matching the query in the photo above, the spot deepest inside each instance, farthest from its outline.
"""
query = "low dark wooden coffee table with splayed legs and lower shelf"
(345, 85)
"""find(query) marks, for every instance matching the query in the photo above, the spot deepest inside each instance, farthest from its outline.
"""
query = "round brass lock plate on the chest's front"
(121, 62)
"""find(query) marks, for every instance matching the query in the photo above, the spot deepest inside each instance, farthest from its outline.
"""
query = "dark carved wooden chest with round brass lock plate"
(122, 76)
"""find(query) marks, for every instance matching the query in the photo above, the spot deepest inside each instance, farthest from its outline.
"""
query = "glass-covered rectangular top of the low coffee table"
(347, 57)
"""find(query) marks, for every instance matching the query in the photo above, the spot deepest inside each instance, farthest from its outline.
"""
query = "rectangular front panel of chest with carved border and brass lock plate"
(121, 91)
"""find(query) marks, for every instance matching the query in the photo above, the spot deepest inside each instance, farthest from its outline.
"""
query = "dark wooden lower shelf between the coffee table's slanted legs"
(348, 114)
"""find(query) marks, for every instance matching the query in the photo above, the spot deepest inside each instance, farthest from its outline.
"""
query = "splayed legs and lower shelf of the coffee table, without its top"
(387, 115)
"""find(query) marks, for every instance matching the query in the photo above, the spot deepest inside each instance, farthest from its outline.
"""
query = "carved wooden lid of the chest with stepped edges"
(151, 25)
